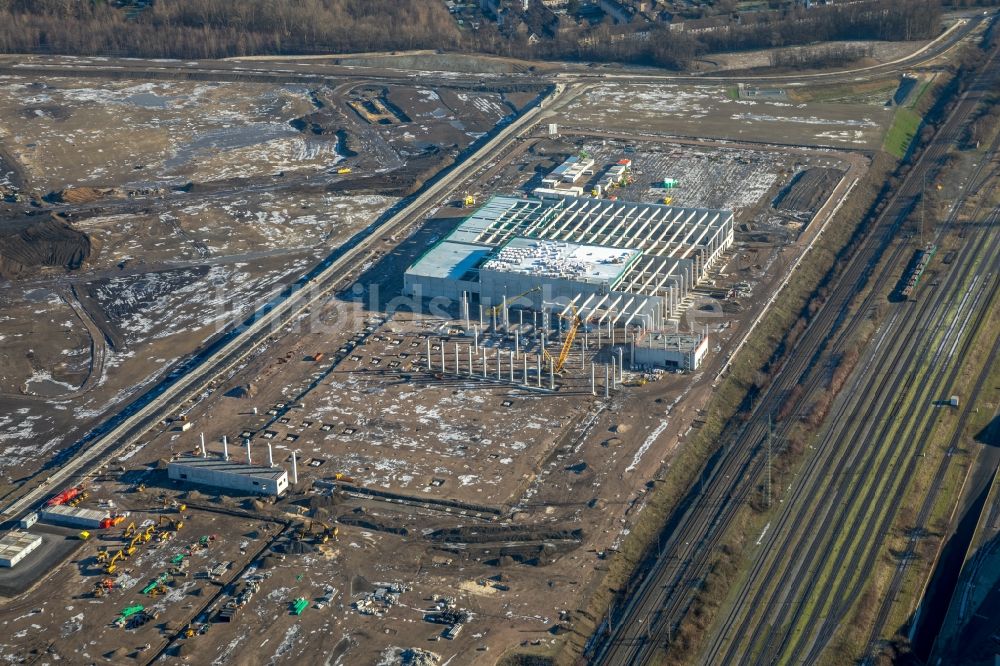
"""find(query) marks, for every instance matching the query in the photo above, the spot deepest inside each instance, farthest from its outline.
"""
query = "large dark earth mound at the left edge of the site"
(33, 243)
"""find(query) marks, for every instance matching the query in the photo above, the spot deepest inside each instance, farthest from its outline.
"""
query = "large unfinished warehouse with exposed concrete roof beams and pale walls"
(617, 261)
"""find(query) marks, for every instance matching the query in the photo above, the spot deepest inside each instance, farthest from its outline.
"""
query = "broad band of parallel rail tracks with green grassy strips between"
(878, 446)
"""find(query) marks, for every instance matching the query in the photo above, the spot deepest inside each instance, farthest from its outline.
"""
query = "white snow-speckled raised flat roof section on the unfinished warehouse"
(558, 259)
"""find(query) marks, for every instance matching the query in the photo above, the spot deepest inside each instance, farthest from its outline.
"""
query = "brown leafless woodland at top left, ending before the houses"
(224, 28)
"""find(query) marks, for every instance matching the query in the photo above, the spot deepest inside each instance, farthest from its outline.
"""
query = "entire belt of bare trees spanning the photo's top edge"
(221, 28)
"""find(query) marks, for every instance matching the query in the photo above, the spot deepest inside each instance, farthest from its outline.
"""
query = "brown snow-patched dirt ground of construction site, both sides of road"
(435, 510)
